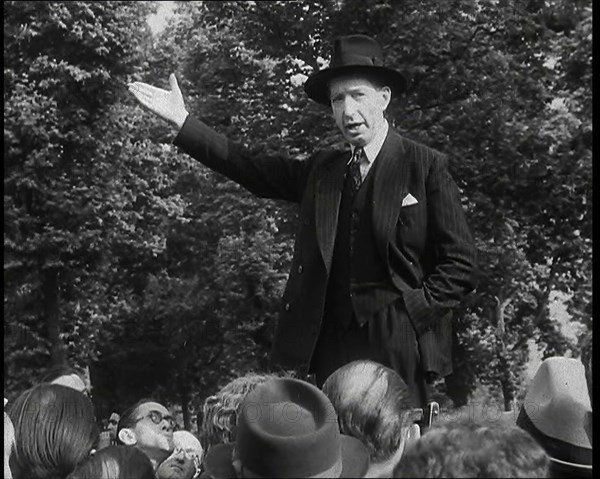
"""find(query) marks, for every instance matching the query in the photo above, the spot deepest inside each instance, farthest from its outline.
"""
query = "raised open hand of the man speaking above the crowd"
(166, 104)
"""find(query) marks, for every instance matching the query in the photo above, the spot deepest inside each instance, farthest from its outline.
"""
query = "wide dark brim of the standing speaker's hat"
(317, 85)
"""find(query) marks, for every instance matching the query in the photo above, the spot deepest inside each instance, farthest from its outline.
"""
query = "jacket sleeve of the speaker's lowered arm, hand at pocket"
(453, 274)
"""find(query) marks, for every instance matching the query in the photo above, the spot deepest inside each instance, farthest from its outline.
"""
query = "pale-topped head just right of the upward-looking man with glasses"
(184, 462)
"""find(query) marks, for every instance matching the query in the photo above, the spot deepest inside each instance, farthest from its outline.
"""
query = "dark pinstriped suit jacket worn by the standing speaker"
(427, 246)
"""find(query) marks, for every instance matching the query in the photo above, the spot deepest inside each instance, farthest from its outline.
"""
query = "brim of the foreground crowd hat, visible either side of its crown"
(355, 459)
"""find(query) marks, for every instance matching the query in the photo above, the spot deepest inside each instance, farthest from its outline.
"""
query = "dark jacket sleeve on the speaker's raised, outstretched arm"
(265, 176)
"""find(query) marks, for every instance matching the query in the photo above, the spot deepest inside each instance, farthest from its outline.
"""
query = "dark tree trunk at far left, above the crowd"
(51, 314)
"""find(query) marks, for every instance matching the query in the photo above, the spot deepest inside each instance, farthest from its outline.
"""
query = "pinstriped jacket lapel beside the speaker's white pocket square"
(390, 186)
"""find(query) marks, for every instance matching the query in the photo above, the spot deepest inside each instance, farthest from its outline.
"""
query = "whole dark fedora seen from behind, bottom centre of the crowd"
(287, 428)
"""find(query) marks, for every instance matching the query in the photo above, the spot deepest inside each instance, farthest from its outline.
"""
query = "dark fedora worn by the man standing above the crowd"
(353, 54)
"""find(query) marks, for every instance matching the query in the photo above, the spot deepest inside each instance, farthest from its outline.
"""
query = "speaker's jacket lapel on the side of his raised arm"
(330, 184)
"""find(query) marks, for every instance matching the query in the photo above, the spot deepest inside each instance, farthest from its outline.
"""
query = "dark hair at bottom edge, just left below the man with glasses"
(115, 462)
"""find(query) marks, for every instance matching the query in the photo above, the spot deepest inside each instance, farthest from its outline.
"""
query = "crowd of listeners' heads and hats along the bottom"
(361, 423)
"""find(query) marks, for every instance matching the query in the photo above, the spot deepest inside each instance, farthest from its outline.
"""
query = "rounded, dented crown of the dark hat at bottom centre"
(288, 428)
